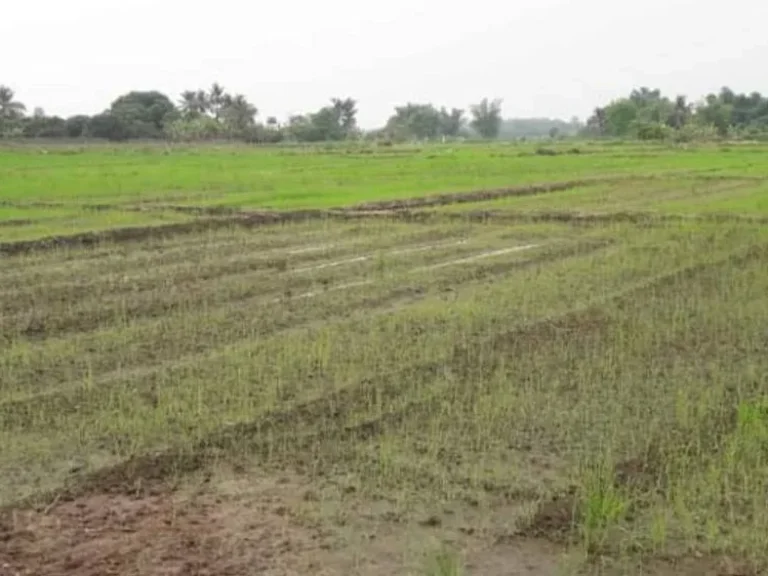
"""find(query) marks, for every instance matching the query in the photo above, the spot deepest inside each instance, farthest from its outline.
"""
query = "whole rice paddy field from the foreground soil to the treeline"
(433, 360)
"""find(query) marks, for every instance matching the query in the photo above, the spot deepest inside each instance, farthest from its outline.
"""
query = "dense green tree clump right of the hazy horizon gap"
(648, 115)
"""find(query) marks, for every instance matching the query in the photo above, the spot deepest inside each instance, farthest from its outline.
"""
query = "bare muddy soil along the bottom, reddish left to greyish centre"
(243, 526)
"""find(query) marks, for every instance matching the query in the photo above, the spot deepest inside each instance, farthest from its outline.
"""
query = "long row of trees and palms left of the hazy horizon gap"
(215, 114)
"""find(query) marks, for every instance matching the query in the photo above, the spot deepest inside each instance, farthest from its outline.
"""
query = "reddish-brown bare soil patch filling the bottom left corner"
(161, 535)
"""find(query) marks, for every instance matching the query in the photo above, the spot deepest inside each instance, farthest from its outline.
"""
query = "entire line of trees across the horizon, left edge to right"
(215, 114)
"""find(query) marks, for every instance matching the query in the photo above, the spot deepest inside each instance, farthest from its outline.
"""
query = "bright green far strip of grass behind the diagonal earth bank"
(274, 178)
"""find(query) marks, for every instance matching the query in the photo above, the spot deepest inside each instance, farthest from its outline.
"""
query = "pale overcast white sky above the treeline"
(554, 58)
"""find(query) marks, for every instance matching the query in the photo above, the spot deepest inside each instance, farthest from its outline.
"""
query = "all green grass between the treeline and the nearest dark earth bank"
(53, 191)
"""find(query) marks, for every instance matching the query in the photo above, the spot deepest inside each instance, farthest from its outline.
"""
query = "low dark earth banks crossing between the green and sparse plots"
(408, 209)
